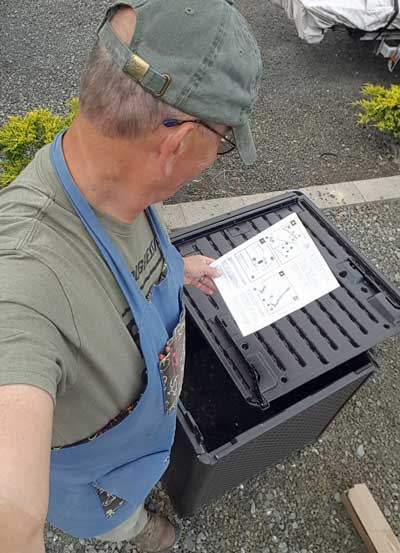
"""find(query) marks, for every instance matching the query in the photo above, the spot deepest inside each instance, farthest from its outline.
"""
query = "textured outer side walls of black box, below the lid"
(200, 473)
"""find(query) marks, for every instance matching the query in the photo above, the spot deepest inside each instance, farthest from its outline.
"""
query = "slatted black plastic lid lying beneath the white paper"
(330, 331)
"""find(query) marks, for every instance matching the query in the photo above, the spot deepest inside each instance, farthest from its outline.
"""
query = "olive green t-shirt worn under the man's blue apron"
(65, 325)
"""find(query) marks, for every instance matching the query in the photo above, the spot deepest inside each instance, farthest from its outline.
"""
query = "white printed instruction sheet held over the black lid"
(272, 275)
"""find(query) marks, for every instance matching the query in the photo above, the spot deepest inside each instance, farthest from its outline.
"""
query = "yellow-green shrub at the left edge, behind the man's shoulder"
(22, 136)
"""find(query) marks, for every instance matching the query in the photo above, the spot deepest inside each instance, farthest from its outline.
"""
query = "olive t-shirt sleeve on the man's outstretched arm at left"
(35, 320)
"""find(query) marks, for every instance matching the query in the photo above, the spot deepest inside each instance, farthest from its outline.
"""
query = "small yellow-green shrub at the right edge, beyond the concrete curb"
(381, 108)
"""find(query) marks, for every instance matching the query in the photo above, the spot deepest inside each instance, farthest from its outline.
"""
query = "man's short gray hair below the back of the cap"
(115, 104)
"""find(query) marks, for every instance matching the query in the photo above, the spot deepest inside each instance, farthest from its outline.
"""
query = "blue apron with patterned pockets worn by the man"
(127, 460)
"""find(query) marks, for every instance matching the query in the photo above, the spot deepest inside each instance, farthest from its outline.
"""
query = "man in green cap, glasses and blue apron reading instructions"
(91, 318)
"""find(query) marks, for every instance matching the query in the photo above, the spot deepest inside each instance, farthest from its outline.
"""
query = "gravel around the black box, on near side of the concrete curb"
(295, 507)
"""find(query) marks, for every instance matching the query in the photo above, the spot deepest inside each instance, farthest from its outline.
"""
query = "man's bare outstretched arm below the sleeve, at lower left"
(25, 438)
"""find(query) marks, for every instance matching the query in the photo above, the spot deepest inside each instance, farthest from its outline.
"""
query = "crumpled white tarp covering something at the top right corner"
(313, 17)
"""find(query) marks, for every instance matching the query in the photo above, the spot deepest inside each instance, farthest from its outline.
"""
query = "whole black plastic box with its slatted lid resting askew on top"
(247, 403)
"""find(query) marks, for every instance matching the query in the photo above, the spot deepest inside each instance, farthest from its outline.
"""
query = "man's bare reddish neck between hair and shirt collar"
(103, 170)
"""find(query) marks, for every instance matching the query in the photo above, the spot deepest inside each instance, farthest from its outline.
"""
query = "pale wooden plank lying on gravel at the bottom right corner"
(369, 521)
